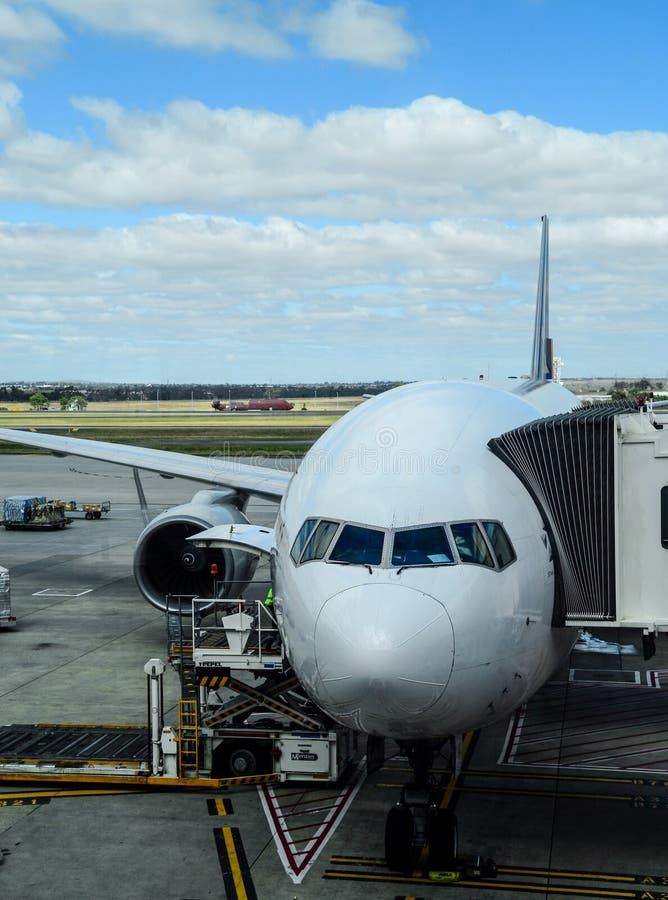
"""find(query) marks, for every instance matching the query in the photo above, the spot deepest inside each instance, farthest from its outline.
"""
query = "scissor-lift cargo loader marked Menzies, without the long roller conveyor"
(253, 717)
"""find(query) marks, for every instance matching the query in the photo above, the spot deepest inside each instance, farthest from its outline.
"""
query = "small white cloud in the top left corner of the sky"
(28, 39)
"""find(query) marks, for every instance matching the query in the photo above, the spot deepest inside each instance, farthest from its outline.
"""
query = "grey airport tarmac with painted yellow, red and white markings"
(569, 797)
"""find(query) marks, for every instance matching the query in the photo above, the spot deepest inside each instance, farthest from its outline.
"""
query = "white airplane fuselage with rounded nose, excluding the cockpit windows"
(418, 652)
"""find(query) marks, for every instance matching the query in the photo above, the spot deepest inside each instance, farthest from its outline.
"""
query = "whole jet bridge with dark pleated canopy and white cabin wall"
(599, 477)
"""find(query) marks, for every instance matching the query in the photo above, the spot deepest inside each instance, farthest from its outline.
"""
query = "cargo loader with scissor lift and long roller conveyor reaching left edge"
(242, 718)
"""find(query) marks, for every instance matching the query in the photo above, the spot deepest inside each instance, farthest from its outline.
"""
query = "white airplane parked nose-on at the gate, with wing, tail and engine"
(413, 578)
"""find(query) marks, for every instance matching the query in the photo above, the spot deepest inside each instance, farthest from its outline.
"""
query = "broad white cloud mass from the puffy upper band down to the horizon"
(431, 279)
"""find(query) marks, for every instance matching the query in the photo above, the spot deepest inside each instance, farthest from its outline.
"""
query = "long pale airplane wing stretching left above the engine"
(213, 470)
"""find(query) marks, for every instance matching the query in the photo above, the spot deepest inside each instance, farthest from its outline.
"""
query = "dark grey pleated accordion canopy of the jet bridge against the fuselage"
(567, 463)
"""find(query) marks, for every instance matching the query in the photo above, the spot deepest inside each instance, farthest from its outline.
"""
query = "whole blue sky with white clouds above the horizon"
(329, 189)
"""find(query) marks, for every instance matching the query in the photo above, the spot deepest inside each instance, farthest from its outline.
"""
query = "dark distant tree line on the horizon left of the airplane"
(63, 394)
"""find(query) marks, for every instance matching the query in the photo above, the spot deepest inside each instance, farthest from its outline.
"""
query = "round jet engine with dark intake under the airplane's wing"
(166, 562)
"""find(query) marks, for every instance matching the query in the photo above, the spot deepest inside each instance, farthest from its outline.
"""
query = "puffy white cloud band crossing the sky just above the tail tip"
(431, 158)
